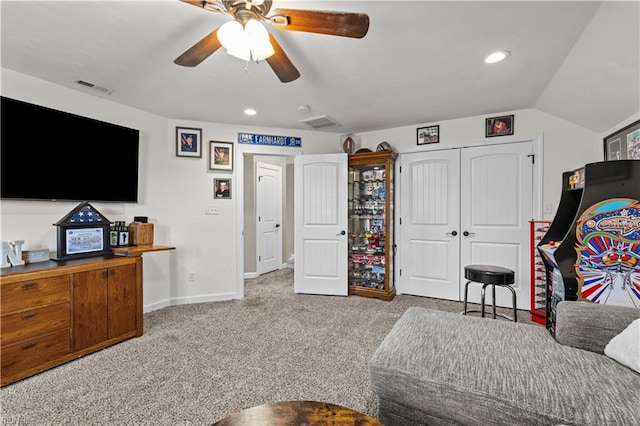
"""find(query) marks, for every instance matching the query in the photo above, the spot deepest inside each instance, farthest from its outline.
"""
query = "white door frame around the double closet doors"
(537, 141)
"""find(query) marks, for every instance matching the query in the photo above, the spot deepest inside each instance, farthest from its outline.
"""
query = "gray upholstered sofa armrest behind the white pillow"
(590, 326)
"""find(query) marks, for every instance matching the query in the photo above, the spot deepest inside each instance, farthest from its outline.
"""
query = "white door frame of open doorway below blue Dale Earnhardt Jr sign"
(241, 151)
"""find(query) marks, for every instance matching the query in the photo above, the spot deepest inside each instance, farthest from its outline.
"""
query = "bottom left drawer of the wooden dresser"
(32, 353)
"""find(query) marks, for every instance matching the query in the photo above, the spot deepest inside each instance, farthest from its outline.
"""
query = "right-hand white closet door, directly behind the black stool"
(497, 204)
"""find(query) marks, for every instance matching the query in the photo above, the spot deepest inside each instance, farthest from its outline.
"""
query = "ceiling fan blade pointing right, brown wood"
(342, 24)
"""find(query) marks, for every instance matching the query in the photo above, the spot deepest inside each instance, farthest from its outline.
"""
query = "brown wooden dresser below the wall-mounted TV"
(54, 312)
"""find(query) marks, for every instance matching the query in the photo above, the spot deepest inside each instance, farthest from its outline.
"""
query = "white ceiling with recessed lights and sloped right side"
(421, 61)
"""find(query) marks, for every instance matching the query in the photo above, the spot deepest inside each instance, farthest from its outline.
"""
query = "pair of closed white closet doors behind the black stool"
(460, 207)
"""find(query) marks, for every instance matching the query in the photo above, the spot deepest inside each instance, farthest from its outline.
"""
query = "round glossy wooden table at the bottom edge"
(298, 413)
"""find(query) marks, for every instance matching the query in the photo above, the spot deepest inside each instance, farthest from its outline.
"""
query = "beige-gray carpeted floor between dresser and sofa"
(198, 363)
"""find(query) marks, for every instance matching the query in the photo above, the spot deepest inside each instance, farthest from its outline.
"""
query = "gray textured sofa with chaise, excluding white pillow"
(444, 368)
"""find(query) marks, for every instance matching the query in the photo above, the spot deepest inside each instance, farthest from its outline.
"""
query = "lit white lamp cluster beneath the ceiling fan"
(250, 41)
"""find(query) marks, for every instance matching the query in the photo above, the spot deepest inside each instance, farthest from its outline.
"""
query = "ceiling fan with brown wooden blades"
(249, 12)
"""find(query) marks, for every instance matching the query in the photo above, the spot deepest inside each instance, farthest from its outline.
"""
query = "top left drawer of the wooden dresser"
(33, 293)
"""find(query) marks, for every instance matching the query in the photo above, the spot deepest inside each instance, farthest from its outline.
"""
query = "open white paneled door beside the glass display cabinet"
(321, 224)
